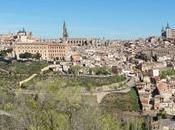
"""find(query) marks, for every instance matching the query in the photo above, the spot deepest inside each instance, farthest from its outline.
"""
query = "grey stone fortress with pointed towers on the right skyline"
(168, 32)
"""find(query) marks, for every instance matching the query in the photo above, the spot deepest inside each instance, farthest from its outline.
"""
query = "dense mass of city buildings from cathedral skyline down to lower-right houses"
(142, 59)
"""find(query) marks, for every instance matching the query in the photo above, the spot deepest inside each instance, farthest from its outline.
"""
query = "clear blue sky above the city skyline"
(119, 19)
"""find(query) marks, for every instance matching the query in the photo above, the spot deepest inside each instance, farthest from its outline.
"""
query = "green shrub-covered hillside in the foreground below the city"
(52, 102)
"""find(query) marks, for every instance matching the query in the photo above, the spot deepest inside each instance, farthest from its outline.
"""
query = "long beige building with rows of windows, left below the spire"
(48, 51)
